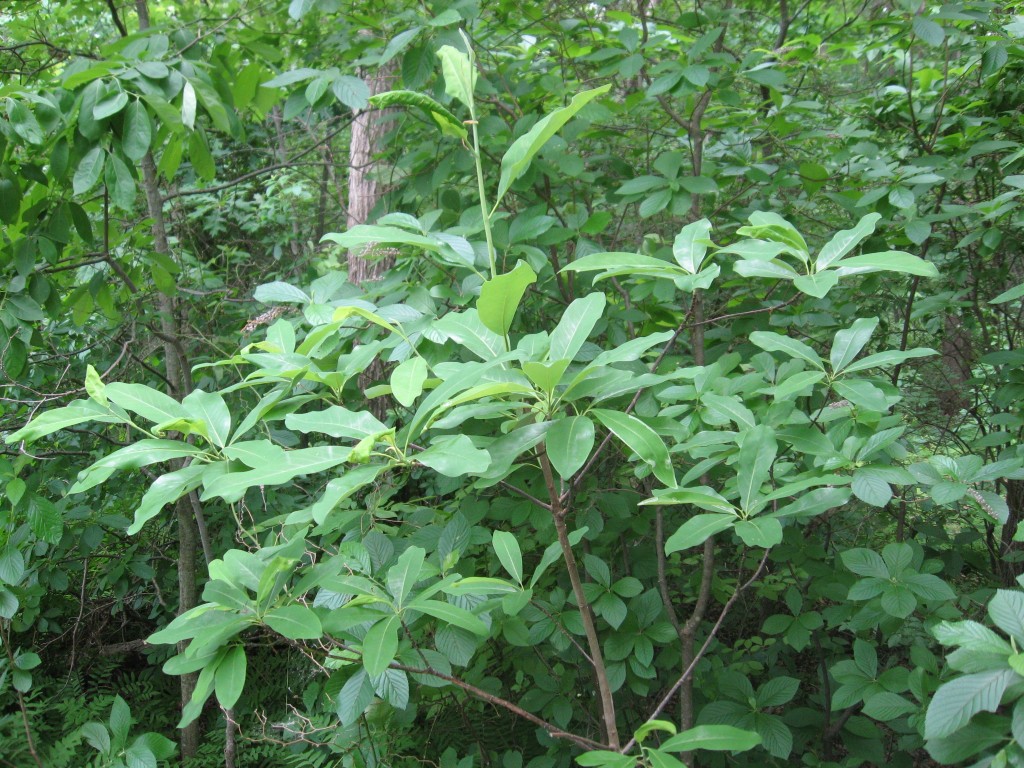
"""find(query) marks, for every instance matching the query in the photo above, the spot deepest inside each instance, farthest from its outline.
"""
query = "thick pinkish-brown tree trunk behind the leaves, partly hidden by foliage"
(364, 192)
